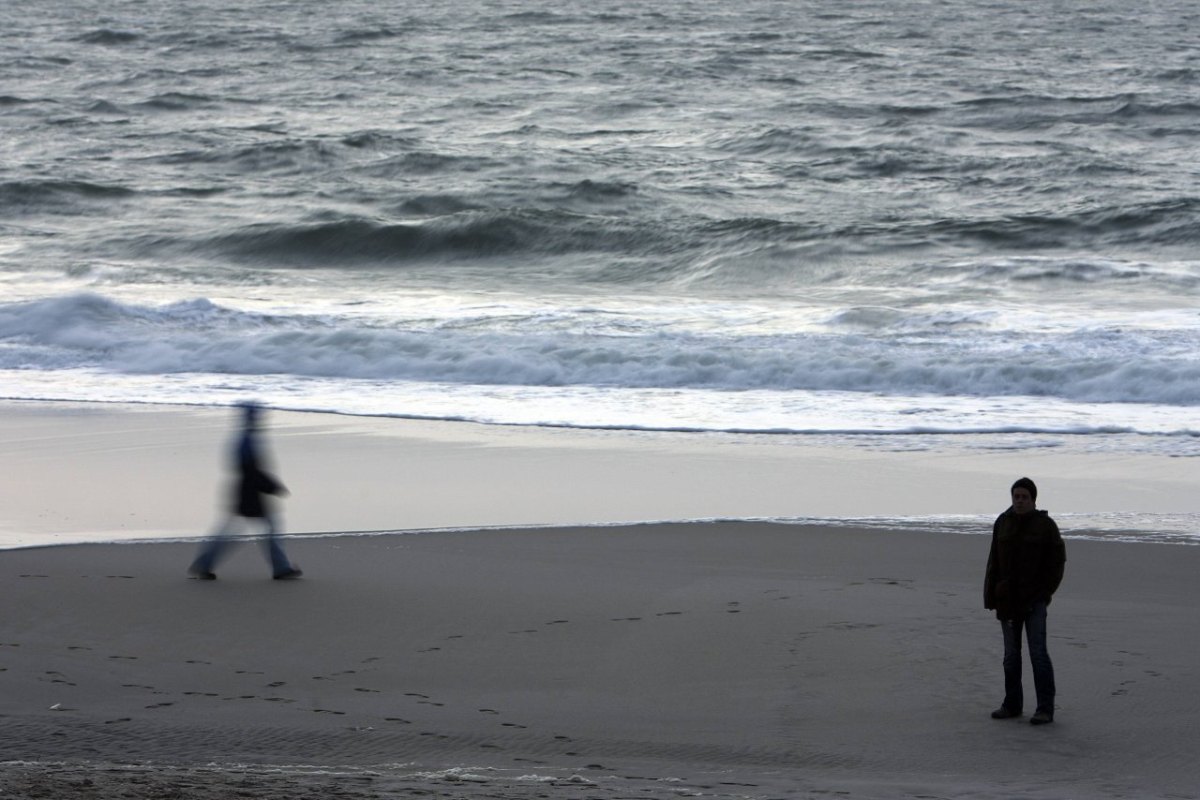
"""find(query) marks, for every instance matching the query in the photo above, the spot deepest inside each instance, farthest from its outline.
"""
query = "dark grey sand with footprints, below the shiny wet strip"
(719, 660)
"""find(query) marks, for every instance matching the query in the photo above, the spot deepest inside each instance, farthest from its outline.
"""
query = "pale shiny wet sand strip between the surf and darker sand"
(97, 472)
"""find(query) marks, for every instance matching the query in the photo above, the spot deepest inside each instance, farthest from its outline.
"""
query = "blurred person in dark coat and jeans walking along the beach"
(251, 501)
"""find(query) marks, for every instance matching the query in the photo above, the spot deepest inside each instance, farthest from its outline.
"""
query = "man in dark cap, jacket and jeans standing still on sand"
(1024, 570)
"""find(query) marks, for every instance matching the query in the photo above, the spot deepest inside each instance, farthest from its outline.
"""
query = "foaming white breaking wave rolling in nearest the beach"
(199, 336)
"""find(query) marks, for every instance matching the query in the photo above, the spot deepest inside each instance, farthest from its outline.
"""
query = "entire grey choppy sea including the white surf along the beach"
(899, 219)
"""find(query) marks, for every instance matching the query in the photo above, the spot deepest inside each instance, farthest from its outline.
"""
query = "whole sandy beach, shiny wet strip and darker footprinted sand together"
(721, 659)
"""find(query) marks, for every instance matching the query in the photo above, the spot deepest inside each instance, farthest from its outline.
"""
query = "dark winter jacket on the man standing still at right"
(1025, 564)
